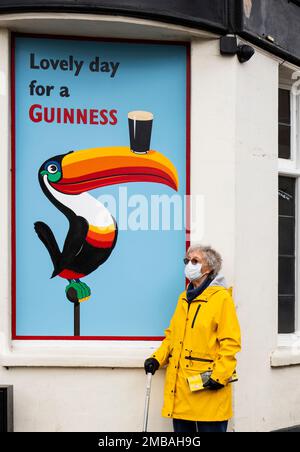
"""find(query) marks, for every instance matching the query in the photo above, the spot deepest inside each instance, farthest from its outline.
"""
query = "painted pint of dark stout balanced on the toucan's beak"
(140, 127)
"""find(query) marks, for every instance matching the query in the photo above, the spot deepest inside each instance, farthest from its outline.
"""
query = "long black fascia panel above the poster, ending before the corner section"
(206, 13)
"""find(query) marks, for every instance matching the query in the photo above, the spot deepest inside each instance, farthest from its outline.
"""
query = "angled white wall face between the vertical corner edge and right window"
(266, 398)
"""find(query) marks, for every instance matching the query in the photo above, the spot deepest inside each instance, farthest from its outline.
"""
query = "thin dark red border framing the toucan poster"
(14, 335)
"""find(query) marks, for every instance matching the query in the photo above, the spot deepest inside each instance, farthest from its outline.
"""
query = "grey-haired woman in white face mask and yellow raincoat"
(203, 337)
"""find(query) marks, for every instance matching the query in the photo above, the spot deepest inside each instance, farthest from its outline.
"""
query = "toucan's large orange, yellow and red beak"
(88, 169)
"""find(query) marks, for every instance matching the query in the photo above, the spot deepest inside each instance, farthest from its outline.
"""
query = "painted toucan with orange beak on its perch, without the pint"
(66, 180)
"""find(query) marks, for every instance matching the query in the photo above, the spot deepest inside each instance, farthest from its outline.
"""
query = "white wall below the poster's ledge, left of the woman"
(68, 400)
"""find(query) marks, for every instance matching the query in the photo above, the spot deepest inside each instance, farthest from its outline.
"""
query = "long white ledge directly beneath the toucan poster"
(75, 354)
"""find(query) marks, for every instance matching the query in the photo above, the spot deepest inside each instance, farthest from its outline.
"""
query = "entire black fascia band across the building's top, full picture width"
(254, 20)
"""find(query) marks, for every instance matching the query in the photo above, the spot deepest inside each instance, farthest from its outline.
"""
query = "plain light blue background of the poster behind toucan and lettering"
(134, 293)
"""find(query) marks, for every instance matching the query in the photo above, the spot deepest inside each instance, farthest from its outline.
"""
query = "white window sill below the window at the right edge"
(287, 352)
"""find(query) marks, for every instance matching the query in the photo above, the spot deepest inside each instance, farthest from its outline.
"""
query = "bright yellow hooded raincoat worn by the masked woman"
(202, 337)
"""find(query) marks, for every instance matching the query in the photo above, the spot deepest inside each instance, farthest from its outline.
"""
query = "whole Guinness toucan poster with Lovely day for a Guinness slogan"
(100, 181)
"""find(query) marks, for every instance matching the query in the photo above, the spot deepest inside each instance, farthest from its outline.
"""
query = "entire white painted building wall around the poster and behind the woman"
(234, 169)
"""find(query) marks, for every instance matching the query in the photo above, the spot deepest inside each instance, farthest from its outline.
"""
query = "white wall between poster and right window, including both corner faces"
(236, 146)
